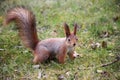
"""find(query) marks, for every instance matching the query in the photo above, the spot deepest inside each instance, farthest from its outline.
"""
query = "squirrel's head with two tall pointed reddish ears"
(71, 38)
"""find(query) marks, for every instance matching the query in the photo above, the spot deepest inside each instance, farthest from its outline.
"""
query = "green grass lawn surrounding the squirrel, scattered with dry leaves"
(93, 16)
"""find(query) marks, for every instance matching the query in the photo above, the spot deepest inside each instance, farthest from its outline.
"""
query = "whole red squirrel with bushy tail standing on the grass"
(44, 49)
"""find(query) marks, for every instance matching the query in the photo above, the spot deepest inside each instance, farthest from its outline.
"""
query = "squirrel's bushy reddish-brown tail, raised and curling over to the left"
(26, 23)
